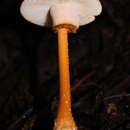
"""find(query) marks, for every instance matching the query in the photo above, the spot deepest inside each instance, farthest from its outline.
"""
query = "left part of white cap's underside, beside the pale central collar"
(36, 12)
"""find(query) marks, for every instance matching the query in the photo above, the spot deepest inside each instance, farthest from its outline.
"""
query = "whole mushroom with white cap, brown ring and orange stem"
(64, 16)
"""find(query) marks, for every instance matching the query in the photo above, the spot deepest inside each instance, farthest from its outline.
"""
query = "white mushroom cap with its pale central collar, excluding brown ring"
(54, 12)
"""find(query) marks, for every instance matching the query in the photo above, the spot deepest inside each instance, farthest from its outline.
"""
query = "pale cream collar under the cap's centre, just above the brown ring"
(66, 12)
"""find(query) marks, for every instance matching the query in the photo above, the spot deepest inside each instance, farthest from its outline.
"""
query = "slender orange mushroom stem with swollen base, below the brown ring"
(64, 119)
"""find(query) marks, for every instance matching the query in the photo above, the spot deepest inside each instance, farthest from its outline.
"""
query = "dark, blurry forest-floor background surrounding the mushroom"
(99, 64)
